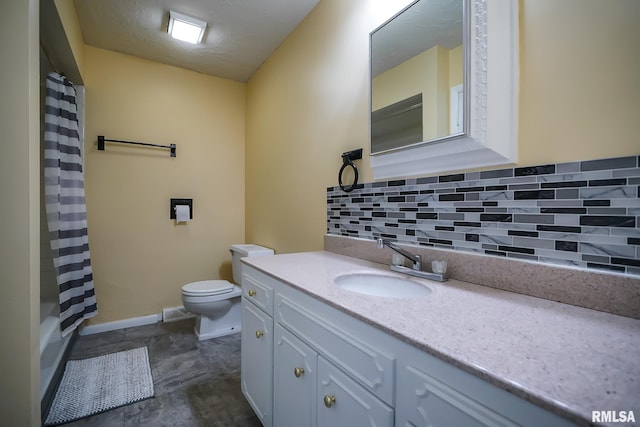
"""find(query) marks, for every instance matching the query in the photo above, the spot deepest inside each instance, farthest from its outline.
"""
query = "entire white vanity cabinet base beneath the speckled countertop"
(331, 369)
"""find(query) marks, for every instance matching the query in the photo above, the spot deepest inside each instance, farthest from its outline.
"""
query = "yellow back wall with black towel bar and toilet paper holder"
(140, 257)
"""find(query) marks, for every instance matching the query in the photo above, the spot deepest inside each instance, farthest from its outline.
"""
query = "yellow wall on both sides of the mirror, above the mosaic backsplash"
(579, 100)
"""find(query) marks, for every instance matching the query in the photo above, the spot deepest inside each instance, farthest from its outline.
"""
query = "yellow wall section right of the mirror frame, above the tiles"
(579, 90)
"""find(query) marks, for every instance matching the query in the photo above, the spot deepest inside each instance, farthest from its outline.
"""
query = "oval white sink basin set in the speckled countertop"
(381, 285)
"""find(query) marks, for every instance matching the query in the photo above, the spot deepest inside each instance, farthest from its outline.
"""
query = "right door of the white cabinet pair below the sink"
(343, 402)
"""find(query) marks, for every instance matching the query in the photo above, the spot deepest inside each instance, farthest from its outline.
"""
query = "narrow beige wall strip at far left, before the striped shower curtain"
(19, 216)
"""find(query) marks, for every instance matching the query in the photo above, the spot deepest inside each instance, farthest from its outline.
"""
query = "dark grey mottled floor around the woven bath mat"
(196, 383)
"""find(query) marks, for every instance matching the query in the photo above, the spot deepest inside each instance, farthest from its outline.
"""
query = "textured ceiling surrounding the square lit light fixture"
(240, 36)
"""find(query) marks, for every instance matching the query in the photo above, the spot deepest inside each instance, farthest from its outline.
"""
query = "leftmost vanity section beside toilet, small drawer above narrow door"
(257, 347)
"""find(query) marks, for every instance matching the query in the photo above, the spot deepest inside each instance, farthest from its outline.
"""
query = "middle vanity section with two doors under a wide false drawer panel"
(312, 357)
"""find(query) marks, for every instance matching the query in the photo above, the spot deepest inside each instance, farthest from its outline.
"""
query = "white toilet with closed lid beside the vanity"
(217, 302)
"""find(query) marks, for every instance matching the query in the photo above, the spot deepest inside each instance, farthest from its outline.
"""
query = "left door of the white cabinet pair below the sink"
(294, 381)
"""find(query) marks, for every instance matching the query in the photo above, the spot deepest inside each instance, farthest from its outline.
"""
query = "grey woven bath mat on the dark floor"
(94, 385)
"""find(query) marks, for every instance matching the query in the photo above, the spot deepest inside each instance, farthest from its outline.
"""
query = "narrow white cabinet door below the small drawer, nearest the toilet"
(256, 361)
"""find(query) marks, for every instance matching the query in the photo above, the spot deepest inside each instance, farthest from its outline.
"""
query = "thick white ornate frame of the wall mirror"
(492, 126)
